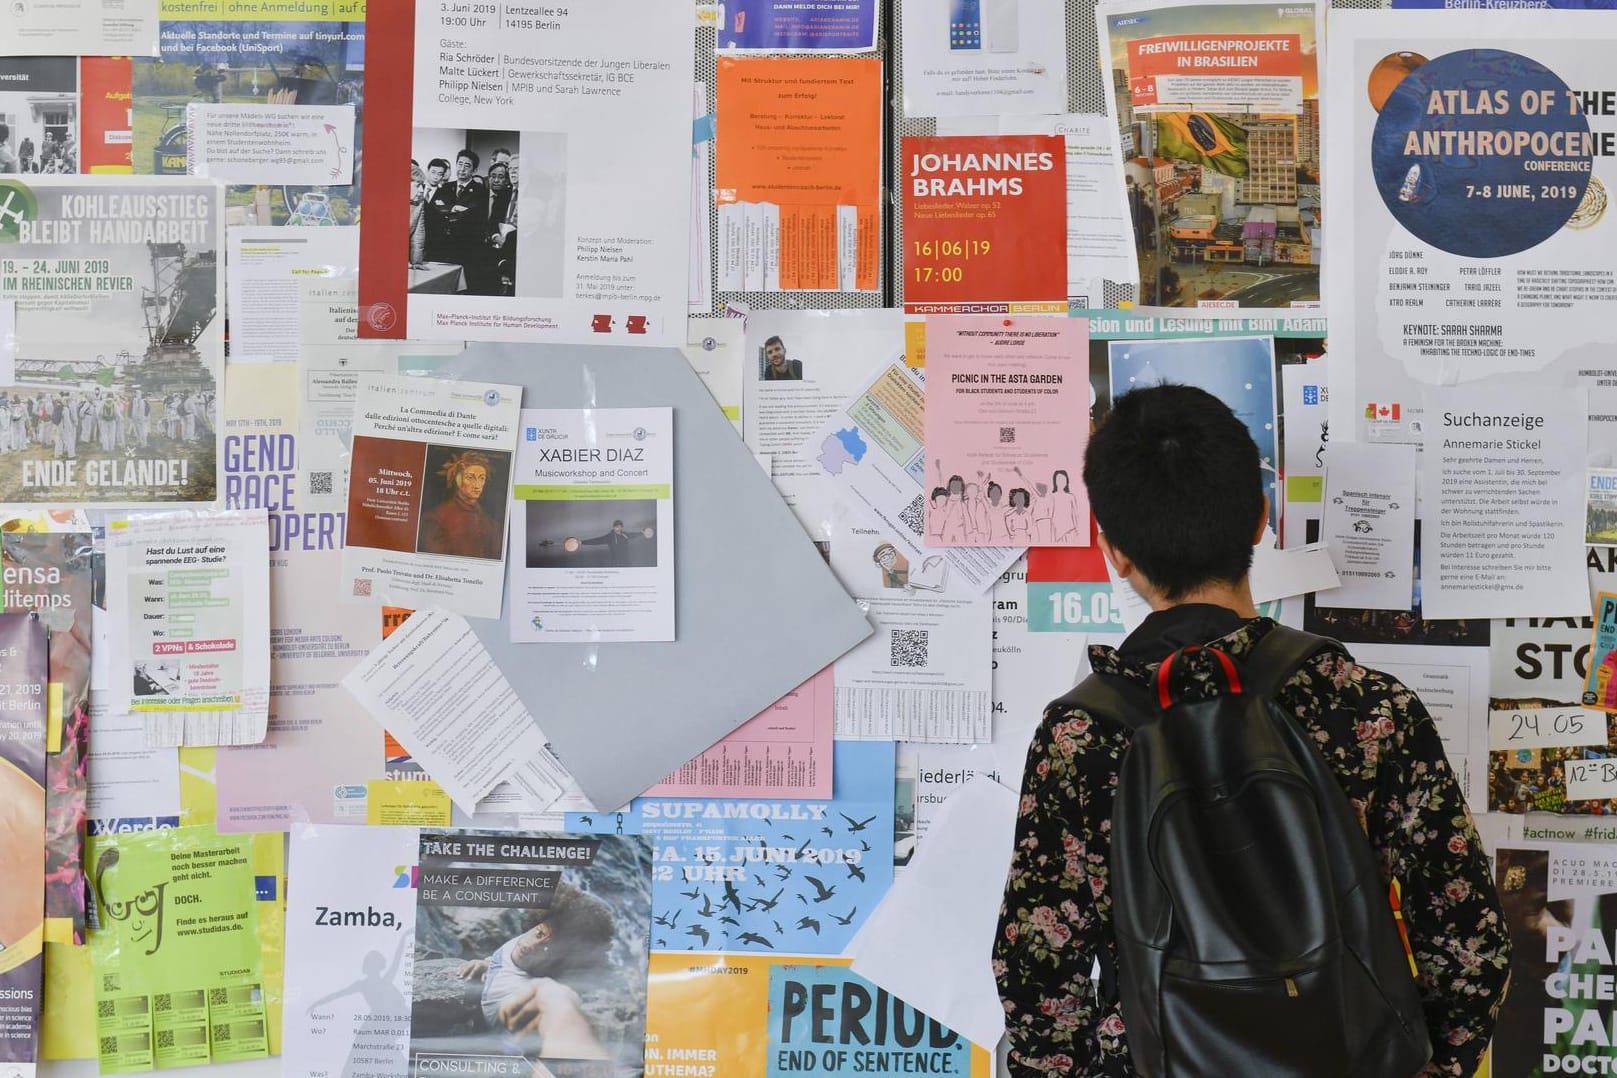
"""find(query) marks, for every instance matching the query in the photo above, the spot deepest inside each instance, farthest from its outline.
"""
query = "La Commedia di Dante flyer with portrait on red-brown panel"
(429, 494)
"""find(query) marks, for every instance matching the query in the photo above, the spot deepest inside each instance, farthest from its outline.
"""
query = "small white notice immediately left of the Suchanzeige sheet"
(1369, 524)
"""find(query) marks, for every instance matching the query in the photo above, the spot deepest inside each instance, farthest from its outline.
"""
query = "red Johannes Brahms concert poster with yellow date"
(986, 225)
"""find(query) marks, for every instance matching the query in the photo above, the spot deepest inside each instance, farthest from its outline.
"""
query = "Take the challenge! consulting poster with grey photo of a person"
(531, 954)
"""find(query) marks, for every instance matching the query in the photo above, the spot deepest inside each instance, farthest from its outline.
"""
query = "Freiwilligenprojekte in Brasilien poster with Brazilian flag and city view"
(1218, 111)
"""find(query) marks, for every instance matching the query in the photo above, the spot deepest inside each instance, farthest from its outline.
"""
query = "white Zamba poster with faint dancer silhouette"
(350, 927)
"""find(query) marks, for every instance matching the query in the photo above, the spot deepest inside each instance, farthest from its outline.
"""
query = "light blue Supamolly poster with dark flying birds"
(767, 875)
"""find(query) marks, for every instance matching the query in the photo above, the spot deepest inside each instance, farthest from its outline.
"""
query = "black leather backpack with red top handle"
(1254, 929)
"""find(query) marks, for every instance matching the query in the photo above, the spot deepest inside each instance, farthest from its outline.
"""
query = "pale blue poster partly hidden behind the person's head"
(1238, 371)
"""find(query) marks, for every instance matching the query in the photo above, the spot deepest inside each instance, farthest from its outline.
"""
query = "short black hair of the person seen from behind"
(1176, 484)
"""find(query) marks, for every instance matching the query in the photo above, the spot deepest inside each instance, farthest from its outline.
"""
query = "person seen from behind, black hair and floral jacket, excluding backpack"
(1176, 489)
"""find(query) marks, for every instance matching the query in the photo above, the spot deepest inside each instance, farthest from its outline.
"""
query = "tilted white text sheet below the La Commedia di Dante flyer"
(439, 693)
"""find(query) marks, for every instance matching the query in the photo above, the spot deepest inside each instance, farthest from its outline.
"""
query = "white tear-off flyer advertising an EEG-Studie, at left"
(195, 657)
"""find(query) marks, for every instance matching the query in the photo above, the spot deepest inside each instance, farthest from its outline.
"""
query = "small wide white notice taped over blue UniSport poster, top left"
(271, 145)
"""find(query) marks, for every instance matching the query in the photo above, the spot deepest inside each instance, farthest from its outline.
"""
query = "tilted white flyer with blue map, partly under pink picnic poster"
(872, 452)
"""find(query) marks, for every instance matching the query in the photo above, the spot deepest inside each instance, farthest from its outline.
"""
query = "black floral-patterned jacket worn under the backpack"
(1385, 751)
